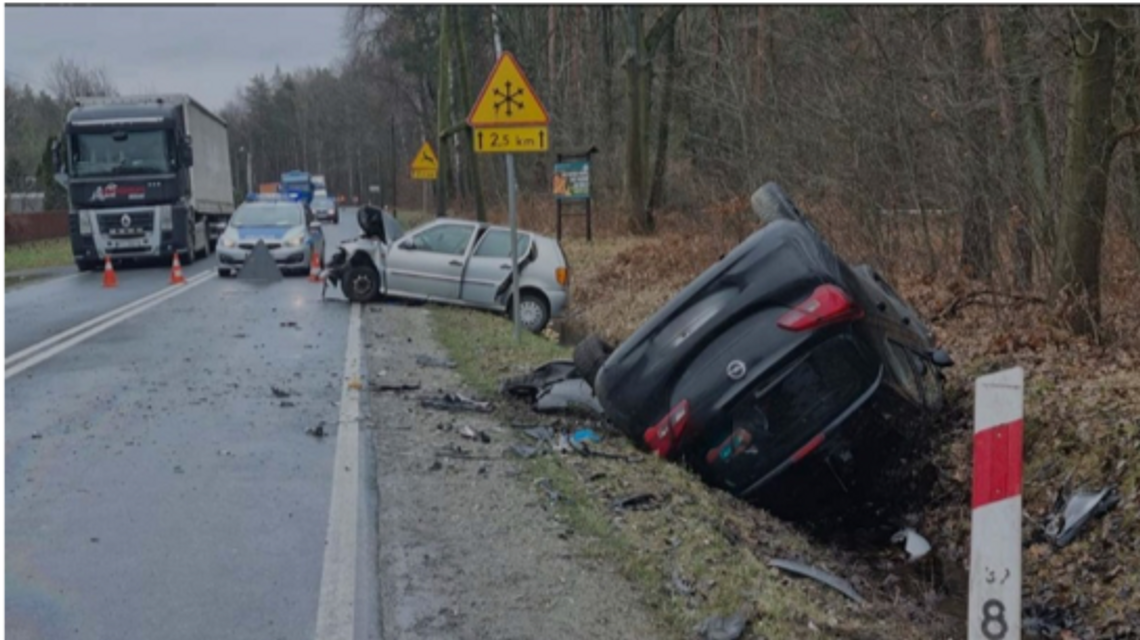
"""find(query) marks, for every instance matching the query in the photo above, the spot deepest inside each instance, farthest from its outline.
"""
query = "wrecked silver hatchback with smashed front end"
(452, 262)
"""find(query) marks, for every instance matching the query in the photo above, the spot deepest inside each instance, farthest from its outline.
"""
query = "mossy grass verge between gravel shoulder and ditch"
(696, 552)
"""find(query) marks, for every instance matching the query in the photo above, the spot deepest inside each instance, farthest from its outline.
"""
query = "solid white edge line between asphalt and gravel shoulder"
(337, 609)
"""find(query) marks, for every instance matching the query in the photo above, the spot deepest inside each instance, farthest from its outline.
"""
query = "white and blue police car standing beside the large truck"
(286, 226)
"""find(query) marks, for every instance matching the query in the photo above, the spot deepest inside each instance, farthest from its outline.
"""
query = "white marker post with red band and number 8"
(996, 534)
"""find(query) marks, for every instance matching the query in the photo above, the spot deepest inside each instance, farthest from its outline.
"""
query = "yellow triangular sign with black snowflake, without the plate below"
(508, 99)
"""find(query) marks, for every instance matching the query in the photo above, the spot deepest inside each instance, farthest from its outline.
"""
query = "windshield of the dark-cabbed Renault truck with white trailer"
(123, 153)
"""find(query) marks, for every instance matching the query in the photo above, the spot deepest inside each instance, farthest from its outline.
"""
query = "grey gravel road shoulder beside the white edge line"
(467, 548)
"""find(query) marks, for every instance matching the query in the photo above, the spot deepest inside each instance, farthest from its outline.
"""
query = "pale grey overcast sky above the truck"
(206, 52)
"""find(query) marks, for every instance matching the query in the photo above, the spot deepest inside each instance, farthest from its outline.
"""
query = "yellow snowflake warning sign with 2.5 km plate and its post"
(509, 118)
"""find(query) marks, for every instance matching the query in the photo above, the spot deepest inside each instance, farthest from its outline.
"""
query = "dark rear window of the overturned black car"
(777, 420)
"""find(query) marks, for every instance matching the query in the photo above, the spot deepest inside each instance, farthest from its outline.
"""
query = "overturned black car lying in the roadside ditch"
(766, 360)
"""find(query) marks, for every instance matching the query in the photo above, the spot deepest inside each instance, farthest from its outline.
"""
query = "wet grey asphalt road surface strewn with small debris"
(153, 485)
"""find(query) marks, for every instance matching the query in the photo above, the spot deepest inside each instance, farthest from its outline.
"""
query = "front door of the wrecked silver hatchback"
(429, 264)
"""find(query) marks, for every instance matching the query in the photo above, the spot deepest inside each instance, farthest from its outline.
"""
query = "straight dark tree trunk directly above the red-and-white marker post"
(978, 252)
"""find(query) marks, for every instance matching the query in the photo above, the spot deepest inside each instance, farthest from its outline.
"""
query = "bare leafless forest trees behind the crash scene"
(1016, 123)
